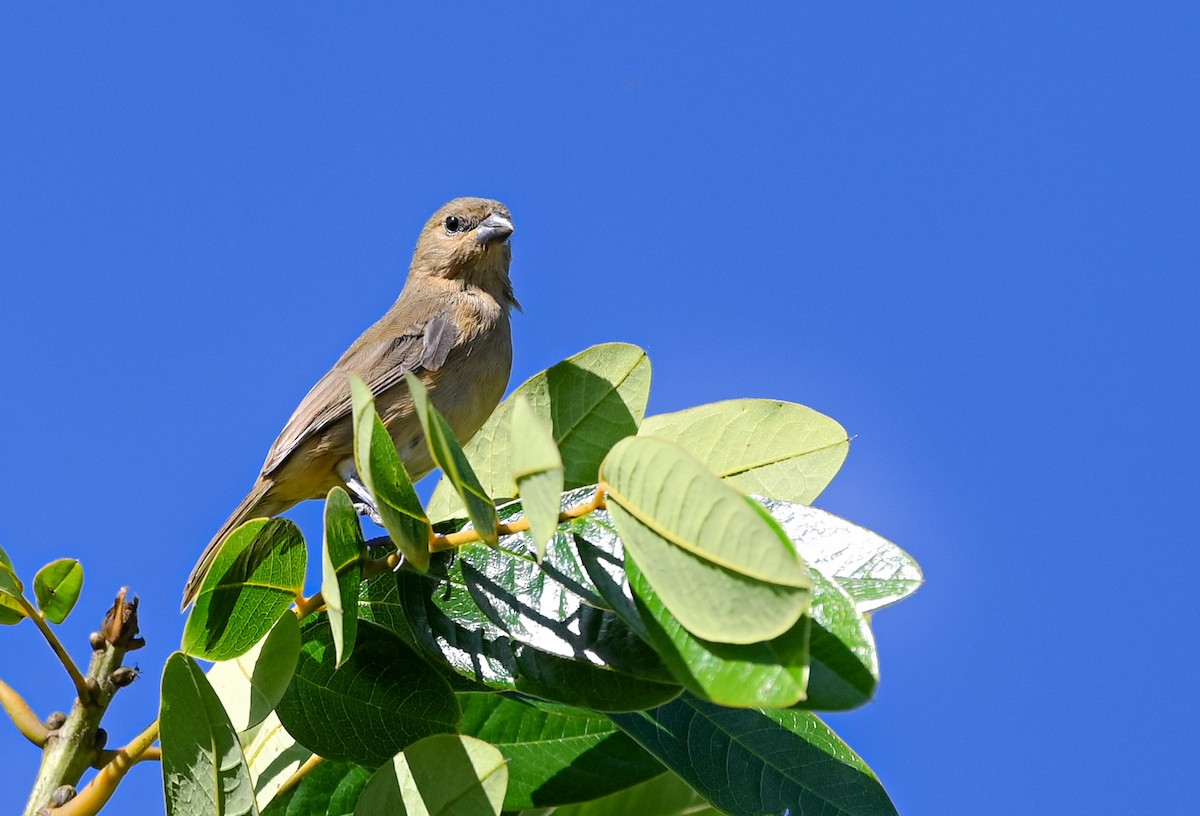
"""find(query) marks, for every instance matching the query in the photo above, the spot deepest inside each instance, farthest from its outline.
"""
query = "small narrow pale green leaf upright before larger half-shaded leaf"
(538, 471)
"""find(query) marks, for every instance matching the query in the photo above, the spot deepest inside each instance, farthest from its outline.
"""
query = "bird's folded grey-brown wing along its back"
(381, 363)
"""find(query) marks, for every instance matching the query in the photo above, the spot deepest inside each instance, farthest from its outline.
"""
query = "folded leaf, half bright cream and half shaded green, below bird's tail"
(251, 686)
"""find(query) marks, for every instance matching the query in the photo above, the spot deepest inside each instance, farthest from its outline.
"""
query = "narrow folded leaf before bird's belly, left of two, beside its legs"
(381, 470)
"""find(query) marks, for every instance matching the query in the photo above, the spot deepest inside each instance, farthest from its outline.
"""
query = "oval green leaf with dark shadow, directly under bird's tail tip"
(256, 577)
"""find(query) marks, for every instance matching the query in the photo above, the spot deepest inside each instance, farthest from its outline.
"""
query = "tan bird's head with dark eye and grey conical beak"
(467, 241)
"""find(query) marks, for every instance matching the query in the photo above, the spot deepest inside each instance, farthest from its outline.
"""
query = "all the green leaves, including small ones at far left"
(653, 640)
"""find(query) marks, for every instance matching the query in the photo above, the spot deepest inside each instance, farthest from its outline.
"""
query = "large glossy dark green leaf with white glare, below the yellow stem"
(500, 619)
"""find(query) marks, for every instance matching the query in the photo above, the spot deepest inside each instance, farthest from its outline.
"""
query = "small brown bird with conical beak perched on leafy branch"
(449, 327)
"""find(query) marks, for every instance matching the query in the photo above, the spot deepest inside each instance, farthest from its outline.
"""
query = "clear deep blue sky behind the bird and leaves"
(969, 235)
